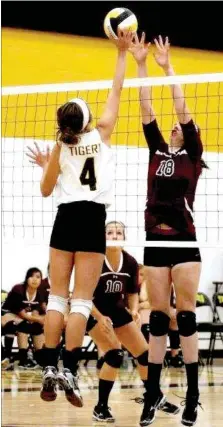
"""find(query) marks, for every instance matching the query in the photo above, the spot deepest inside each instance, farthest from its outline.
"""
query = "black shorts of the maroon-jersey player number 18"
(168, 257)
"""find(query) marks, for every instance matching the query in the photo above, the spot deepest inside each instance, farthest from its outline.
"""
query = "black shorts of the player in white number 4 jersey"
(79, 226)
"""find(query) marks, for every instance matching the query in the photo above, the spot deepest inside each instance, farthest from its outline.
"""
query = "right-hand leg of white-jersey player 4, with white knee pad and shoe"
(88, 266)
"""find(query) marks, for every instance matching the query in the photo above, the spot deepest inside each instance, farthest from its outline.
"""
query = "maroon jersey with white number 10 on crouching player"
(114, 285)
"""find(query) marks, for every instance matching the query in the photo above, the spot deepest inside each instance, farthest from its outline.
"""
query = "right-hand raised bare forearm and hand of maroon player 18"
(162, 58)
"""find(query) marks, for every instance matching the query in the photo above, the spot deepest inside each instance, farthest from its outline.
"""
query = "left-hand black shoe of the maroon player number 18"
(150, 407)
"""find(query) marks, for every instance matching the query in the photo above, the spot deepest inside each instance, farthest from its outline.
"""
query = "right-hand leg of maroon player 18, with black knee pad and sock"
(186, 280)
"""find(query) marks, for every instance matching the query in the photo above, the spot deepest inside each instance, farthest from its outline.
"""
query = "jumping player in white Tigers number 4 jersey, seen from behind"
(81, 168)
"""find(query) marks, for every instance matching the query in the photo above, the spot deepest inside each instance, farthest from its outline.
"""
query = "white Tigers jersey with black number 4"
(87, 171)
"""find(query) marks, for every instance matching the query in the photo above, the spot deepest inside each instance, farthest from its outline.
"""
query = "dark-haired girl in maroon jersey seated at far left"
(23, 314)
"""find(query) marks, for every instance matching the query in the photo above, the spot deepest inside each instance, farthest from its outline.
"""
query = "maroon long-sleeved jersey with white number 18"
(172, 178)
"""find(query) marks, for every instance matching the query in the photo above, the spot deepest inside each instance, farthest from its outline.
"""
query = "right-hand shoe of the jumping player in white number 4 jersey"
(69, 383)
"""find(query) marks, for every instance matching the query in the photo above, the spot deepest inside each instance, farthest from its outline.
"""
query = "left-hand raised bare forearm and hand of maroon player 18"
(140, 51)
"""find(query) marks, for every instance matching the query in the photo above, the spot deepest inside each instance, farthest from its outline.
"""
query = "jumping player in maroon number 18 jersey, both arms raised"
(173, 173)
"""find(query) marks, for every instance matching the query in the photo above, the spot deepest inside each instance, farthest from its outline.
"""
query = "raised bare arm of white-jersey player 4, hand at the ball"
(108, 119)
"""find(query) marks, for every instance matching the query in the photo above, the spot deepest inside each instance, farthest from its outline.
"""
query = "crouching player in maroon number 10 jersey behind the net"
(111, 325)
